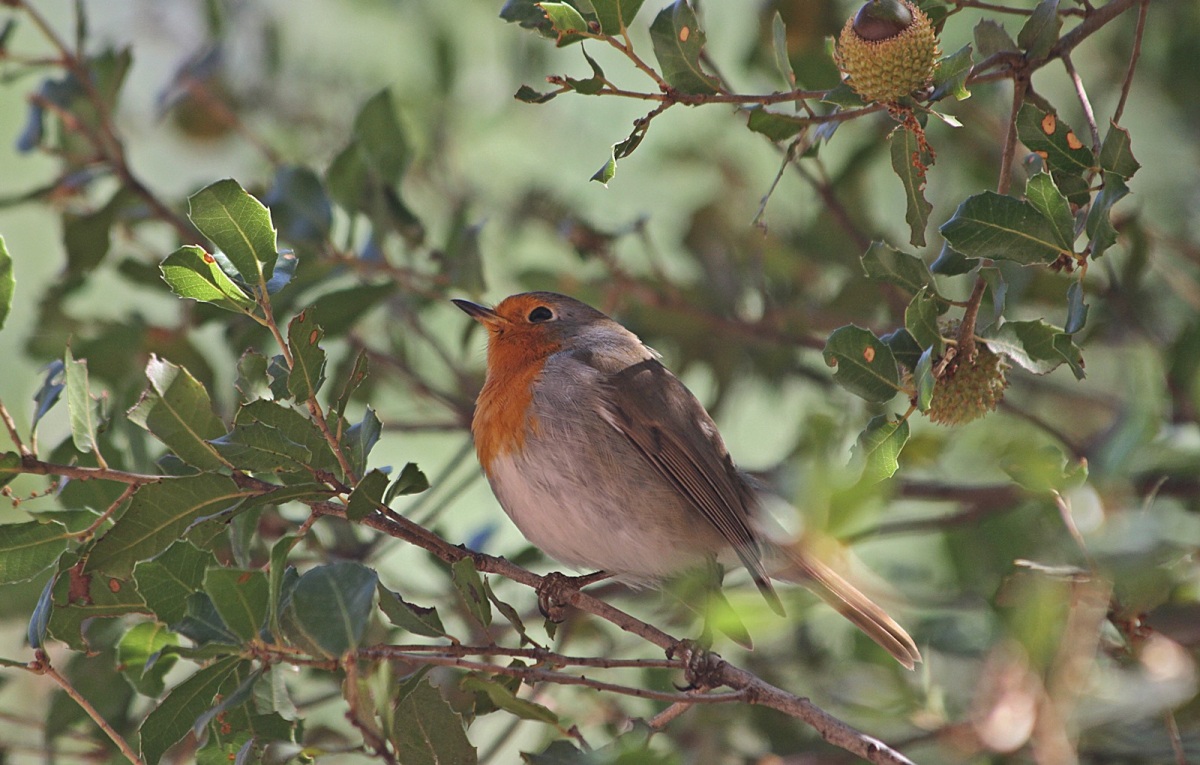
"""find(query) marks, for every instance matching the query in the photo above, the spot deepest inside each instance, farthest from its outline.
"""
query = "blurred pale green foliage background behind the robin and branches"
(502, 191)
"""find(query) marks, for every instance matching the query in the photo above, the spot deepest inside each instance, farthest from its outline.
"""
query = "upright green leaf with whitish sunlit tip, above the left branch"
(177, 409)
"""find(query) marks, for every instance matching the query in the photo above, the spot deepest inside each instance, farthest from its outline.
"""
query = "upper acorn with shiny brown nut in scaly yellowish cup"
(887, 51)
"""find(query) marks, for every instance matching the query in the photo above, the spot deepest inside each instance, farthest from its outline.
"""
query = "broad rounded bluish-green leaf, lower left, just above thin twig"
(329, 609)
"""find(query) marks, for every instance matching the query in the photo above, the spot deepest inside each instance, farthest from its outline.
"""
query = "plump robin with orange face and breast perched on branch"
(604, 460)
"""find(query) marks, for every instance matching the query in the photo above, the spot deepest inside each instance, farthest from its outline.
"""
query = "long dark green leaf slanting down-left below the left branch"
(158, 516)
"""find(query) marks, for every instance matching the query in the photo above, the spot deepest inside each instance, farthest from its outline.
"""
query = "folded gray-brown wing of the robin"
(689, 454)
